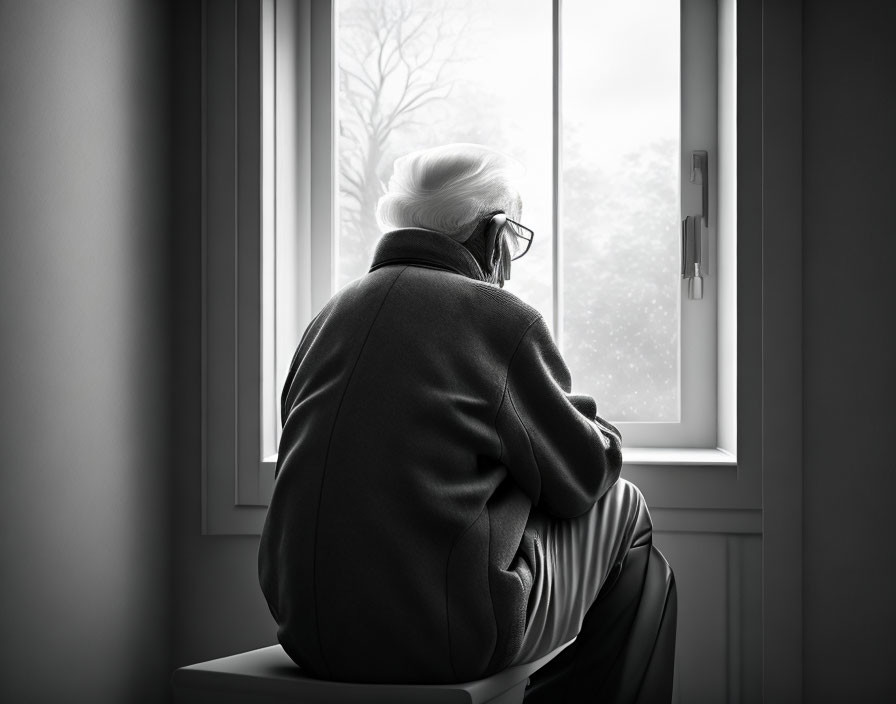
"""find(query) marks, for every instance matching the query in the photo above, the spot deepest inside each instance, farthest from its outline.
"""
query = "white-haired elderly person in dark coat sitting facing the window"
(445, 506)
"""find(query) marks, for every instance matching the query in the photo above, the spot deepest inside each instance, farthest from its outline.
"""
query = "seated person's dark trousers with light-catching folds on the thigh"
(602, 582)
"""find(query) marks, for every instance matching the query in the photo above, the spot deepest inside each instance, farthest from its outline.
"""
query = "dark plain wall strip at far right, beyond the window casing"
(849, 231)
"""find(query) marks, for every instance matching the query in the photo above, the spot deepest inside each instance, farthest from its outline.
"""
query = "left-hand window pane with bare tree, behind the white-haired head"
(415, 74)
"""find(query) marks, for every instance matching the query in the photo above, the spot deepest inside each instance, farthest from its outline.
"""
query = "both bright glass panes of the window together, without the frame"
(420, 73)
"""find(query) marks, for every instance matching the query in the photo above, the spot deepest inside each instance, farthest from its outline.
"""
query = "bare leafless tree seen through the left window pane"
(394, 60)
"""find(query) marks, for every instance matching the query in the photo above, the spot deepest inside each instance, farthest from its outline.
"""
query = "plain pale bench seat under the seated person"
(269, 676)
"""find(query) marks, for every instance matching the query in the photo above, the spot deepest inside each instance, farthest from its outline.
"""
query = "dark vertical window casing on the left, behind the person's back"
(233, 470)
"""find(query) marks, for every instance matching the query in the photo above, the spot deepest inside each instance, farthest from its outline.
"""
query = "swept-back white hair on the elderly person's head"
(449, 189)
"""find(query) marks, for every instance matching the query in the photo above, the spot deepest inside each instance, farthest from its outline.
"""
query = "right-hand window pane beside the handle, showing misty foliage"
(620, 204)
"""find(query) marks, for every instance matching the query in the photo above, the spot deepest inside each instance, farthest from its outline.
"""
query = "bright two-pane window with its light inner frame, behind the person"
(602, 102)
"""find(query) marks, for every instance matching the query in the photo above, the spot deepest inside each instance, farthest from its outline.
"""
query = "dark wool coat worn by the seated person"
(425, 413)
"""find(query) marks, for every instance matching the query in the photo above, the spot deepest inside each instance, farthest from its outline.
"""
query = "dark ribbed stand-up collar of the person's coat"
(413, 246)
